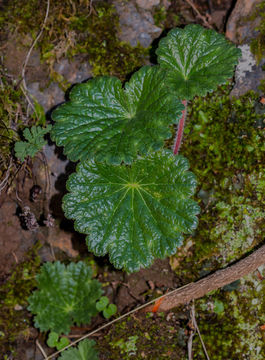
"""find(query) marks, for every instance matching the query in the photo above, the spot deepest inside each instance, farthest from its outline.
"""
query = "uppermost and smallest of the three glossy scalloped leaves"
(197, 59)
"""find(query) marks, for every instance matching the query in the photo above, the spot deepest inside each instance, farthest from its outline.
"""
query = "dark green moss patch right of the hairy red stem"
(227, 135)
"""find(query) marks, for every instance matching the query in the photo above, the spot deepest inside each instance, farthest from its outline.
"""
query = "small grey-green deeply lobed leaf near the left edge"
(34, 143)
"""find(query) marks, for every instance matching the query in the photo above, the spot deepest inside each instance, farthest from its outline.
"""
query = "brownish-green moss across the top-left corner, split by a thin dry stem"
(76, 29)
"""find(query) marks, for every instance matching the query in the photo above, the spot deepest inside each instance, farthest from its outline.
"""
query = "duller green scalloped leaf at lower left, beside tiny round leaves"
(65, 295)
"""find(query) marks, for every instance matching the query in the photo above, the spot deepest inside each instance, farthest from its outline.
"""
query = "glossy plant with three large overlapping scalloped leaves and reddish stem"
(130, 196)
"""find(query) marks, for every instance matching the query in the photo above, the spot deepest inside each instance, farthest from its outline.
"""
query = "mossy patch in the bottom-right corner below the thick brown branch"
(237, 331)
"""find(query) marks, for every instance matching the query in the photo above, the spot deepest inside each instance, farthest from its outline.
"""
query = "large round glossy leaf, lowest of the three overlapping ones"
(135, 213)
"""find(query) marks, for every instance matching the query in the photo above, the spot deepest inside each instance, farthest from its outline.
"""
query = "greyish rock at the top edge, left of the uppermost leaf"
(136, 25)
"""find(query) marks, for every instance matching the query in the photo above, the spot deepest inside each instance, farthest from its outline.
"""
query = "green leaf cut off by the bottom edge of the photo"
(85, 351)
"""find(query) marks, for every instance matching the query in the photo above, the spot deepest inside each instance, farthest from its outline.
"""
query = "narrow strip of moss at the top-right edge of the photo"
(257, 45)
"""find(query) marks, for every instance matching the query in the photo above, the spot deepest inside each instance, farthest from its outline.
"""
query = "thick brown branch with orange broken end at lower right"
(212, 282)
